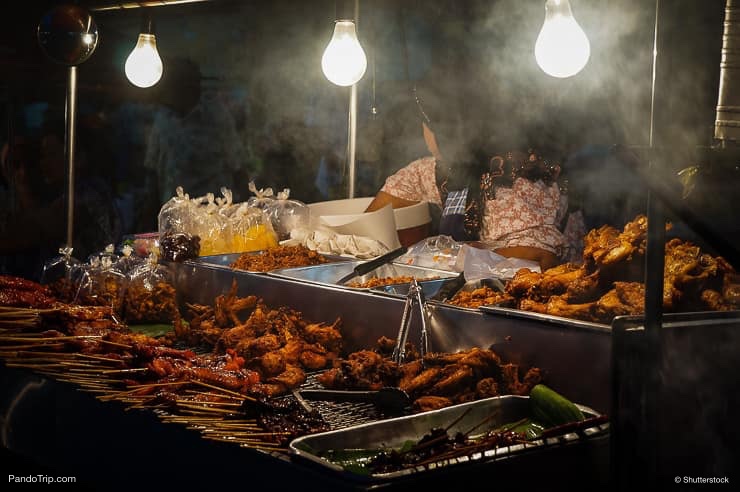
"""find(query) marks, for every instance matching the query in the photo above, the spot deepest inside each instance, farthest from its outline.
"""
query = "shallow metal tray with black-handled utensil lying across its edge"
(330, 273)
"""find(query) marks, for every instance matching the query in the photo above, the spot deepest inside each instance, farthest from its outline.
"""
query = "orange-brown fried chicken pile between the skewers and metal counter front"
(276, 343)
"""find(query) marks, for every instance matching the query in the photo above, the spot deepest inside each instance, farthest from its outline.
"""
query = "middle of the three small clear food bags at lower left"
(102, 284)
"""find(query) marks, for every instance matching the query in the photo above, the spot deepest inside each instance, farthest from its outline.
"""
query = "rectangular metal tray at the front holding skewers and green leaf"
(393, 433)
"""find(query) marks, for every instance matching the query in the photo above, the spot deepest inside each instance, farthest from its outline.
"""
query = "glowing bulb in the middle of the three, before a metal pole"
(344, 61)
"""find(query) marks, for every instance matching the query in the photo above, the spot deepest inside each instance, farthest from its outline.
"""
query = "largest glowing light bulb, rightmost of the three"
(562, 48)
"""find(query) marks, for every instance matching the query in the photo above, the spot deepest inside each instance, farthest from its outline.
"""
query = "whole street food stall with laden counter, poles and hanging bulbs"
(271, 341)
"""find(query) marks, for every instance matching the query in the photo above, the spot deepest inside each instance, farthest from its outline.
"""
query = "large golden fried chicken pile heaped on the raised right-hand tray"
(609, 282)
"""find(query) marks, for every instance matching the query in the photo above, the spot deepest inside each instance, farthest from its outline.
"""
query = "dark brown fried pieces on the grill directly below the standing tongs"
(435, 381)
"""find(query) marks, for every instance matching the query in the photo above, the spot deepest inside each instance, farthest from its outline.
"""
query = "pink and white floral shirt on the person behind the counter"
(527, 214)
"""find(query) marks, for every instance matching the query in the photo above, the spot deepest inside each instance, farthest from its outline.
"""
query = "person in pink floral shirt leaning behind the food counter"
(513, 205)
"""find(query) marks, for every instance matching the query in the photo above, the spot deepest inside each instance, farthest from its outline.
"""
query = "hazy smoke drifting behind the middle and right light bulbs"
(482, 52)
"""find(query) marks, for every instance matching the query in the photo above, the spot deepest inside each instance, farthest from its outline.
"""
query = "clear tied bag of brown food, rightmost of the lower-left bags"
(150, 296)
